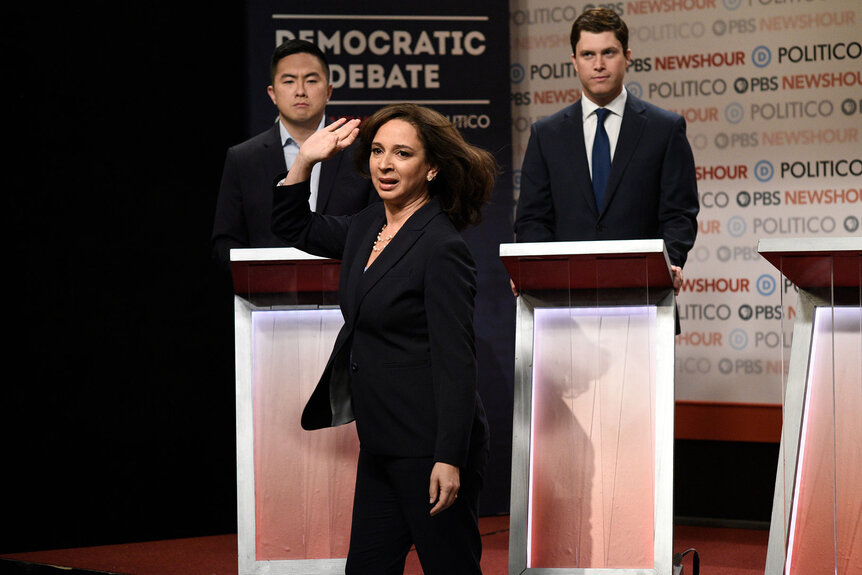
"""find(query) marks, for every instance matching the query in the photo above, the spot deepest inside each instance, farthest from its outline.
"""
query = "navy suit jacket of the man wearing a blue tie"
(651, 191)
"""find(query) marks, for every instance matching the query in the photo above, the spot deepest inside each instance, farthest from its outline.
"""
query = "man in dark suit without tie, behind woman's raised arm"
(300, 90)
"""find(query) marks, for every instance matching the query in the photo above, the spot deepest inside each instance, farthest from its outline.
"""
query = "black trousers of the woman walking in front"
(391, 513)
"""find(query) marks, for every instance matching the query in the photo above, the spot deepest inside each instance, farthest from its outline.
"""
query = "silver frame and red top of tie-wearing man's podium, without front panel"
(653, 256)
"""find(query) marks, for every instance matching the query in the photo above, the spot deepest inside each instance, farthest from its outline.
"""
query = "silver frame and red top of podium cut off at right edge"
(803, 261)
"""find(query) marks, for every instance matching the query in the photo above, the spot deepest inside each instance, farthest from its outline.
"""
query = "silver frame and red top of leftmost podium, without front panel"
(270, 290)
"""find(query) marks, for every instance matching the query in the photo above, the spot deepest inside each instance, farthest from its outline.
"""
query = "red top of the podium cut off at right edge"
(816, 262)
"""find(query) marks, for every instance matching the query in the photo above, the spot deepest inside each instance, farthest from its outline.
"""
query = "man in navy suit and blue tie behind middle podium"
(647, 188)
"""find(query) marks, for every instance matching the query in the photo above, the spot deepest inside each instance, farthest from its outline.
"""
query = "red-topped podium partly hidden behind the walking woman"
(294, 487)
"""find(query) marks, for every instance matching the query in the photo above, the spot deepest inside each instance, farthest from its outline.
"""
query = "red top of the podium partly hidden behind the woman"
(282, 270)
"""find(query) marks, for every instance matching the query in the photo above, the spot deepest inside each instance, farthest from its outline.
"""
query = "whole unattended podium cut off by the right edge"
(816, 524)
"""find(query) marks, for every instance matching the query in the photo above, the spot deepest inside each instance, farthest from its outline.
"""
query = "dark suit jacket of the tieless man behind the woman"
(244, 209)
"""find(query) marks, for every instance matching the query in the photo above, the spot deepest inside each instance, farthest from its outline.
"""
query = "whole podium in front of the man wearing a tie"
(592, 453)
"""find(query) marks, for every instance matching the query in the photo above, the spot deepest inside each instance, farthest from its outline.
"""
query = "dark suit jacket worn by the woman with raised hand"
(404, 363)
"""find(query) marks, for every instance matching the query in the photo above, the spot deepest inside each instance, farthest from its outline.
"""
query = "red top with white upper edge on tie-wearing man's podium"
(588, 265)
